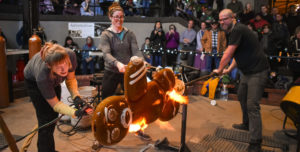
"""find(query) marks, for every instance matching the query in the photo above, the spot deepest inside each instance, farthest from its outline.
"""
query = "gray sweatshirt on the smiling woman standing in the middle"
(115, 49)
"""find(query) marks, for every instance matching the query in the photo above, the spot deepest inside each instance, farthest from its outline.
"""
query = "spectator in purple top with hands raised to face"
(172, 42)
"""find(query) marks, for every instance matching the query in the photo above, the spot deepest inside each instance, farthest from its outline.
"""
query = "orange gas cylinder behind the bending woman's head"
(35, 44)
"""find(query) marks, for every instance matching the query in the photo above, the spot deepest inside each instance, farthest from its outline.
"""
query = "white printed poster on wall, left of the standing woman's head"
(81, 30)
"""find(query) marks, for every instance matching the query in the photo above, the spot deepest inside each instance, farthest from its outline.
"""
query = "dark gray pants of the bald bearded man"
(251, 89)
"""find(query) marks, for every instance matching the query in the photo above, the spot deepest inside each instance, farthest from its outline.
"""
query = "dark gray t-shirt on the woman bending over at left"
(37, 70)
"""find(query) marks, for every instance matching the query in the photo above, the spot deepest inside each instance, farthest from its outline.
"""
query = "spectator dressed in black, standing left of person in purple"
(158, 41)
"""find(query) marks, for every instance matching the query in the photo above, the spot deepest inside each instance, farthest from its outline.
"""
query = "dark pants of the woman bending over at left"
(45, 114)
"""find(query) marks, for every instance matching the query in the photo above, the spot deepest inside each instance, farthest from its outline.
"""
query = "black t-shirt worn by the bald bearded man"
(249, 54)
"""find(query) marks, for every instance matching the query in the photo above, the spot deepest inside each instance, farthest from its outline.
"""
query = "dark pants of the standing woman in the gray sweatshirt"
(110, 83)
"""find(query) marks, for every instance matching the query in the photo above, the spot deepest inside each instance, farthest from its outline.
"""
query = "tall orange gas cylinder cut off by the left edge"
(4, 93)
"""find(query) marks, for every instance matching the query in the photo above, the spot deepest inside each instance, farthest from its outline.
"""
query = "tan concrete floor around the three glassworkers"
(203, 119)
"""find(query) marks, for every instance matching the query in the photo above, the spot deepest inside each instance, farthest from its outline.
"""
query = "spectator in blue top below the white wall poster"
(87, 60)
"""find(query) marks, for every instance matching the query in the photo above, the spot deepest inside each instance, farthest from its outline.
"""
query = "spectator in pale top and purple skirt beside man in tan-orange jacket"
(200, 59)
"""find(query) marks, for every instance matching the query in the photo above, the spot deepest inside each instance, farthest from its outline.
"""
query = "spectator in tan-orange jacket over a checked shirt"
(214, 43)
